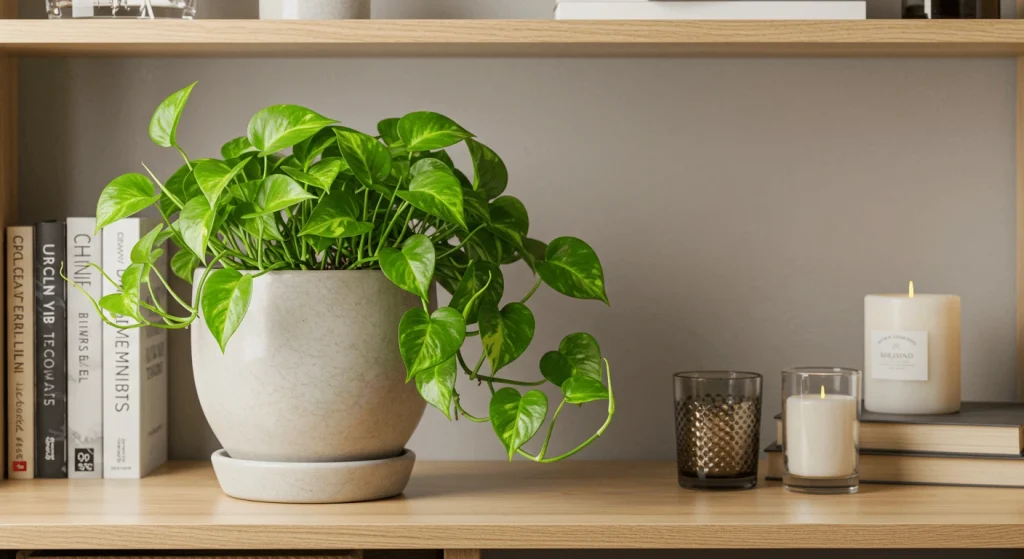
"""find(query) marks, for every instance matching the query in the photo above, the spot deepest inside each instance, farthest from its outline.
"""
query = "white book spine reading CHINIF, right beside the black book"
(86, 353)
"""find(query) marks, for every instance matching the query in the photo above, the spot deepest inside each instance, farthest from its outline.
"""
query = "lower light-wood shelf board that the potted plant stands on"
(503, 506)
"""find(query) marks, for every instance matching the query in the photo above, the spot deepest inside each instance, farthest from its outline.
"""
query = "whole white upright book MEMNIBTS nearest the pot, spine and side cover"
(135, 372)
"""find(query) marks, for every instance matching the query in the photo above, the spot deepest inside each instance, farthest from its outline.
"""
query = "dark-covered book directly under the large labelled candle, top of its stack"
(980, 428)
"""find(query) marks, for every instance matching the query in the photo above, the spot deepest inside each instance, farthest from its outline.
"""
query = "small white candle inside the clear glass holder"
(822, 436)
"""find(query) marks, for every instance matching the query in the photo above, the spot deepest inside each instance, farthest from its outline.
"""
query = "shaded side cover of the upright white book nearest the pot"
(154, 378)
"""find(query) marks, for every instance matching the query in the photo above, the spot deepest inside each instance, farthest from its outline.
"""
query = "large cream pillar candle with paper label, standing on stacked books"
(913, 354)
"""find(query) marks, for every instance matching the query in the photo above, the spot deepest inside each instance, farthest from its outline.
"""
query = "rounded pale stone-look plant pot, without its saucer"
(314, 374)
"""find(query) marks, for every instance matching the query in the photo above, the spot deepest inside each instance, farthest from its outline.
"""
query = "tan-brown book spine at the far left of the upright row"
(21, 355)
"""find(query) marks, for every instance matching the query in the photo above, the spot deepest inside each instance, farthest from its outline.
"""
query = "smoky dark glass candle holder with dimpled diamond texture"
(718, 427)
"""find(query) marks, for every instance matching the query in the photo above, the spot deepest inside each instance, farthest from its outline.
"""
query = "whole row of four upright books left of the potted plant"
(84, 400)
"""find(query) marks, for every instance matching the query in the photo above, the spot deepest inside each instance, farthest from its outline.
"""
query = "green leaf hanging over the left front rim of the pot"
(226, 300)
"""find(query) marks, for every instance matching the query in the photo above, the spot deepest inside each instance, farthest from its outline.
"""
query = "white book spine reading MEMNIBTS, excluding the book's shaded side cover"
(122, 419)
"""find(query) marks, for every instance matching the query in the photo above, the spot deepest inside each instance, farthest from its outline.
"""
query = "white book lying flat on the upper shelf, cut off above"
(714, 10)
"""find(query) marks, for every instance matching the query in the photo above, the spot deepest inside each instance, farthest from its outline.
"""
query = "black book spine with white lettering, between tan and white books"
(52, 352)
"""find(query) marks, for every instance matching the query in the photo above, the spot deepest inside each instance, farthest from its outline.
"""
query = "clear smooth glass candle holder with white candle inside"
(821, 407)
